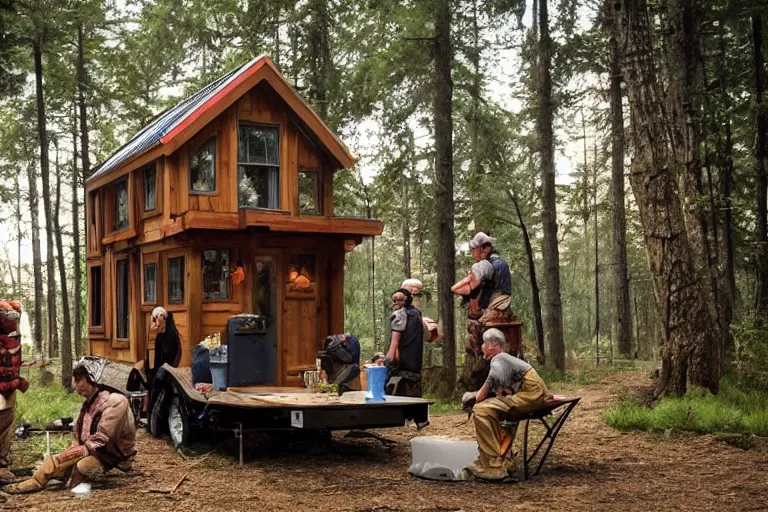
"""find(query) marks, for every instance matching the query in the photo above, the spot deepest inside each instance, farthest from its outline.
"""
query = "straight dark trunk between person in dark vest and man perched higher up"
(446, 263)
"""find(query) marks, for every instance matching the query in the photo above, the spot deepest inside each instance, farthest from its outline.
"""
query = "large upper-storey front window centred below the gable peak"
(258, 167)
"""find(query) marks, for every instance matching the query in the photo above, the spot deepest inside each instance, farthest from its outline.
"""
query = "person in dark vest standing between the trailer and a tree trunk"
(404, 356)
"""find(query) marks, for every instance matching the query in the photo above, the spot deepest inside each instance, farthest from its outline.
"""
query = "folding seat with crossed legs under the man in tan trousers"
(565, 405)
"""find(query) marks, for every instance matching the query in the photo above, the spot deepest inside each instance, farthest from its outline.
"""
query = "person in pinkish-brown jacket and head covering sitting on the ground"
(105, 433)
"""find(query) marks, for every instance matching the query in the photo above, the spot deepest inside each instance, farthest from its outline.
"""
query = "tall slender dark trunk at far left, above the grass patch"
(44, 173)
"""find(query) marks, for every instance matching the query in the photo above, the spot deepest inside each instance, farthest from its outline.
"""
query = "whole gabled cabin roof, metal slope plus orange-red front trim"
(179, 123)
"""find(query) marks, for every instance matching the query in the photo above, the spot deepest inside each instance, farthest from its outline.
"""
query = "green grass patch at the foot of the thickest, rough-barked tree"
(733, 410)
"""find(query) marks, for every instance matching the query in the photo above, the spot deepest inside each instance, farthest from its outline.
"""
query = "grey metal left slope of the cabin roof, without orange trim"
(151, 135)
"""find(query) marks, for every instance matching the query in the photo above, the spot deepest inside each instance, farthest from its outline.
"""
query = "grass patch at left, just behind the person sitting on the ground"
(41, 405)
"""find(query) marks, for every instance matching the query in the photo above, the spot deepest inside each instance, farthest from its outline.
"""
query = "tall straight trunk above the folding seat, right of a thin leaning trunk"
(553, 310)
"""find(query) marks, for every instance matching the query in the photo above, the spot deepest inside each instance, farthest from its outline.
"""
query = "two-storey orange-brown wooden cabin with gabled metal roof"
(239, 173)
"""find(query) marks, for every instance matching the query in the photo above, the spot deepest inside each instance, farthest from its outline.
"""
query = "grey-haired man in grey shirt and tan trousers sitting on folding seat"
(494, 458)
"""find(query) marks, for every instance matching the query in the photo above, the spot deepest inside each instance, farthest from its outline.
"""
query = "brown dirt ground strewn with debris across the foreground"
(592, 467)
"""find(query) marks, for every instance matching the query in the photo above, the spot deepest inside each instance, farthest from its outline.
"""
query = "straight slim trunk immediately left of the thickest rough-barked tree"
(618, 215)
